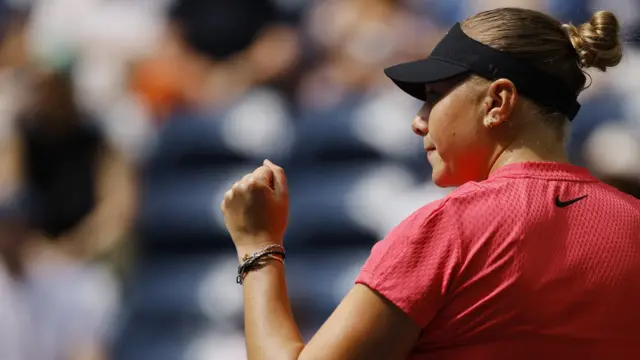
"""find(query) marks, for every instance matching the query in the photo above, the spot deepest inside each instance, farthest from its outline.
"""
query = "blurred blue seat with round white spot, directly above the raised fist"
(254, 127)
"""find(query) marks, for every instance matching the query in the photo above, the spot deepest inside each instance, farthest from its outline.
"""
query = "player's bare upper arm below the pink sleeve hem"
(364, 326)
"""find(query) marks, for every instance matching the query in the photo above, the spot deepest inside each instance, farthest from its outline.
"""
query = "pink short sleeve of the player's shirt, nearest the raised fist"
(415, 265)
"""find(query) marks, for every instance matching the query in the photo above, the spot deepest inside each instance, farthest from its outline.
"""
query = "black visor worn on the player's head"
(458, 54)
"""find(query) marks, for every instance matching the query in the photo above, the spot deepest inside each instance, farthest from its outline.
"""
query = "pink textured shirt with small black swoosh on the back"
(507, 269)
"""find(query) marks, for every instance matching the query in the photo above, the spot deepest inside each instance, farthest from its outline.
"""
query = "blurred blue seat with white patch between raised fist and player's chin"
(327, 207)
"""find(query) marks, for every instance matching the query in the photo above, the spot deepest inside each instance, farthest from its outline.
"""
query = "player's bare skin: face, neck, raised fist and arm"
(470, 129)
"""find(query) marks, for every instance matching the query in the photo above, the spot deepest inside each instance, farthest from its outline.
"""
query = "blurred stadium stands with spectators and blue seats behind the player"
(122, 123)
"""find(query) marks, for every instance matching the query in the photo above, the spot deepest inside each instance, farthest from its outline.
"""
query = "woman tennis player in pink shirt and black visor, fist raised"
(529, 258)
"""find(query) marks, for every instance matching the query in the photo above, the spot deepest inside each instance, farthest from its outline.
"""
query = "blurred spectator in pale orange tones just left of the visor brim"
(353, 40)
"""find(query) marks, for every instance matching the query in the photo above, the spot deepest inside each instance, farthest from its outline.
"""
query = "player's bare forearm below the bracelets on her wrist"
(271, 332)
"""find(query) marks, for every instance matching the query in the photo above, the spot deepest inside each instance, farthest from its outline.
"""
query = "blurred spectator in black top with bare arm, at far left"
(83, 190)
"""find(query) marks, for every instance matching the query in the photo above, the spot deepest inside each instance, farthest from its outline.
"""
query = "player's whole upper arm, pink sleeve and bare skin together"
(401, 287)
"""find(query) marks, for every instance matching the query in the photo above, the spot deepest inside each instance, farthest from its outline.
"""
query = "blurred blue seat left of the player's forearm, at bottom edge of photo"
(167, 305)
